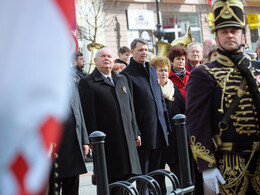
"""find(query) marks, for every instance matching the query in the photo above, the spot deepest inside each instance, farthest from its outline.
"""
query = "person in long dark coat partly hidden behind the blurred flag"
(69, 162)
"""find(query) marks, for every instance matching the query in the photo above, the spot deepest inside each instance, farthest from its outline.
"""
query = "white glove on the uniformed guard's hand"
(211, 178)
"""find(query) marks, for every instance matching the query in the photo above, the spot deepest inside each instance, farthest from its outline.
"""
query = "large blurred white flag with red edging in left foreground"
(34, 60)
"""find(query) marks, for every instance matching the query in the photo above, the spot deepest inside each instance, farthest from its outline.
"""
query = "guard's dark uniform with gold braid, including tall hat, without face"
(223, 111)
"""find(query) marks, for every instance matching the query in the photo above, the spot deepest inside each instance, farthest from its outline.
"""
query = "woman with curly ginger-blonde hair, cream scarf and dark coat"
(175, 104)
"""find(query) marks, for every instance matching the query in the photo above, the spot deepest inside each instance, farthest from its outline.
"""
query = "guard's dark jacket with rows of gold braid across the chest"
(210, 91)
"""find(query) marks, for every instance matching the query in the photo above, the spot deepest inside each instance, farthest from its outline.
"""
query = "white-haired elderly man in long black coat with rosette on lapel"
(107, 107)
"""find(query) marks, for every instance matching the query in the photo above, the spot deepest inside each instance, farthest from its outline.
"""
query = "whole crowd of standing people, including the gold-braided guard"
(133, 99)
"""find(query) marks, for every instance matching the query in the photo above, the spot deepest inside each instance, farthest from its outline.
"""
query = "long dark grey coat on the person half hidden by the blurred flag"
(70, 156)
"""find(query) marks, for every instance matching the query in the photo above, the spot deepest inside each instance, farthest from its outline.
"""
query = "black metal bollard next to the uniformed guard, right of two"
(182, 144)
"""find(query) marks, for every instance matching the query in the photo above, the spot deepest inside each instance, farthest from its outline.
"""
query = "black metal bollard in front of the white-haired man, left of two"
(97, 139)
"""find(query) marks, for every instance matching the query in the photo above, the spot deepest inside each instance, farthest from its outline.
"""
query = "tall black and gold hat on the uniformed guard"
(228, 13)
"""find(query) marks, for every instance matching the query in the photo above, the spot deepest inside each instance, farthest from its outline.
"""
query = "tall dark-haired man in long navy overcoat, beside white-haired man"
(150, 110)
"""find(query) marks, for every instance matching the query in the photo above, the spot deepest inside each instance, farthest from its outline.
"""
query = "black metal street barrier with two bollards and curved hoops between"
(182, 186)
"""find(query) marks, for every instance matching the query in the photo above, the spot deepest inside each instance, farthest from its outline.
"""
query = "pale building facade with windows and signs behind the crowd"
(130, 19)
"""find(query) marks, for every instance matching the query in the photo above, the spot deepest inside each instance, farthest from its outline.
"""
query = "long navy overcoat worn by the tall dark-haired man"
(150, 109)
